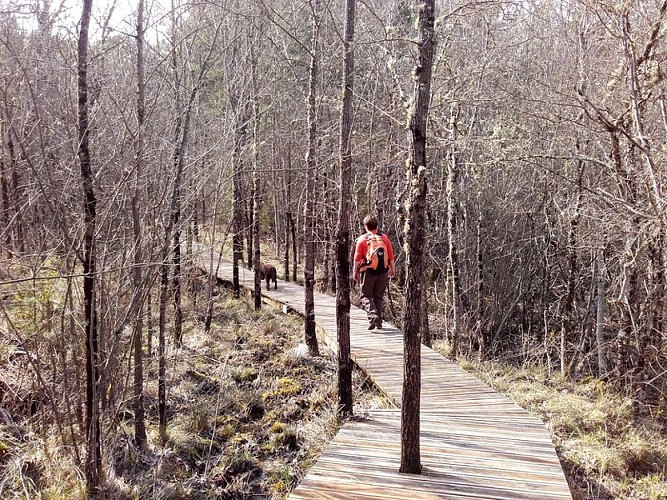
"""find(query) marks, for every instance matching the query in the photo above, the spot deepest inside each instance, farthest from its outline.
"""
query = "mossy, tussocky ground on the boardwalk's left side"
(249, 412)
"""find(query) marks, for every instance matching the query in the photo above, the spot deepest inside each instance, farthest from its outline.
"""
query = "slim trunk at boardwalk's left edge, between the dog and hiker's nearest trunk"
(309, 267)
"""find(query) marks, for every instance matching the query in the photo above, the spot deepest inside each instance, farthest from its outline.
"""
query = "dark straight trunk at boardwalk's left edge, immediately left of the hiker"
(345, 398)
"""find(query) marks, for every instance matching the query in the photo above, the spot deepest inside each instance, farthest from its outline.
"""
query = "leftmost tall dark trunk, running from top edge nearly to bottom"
(93, 439)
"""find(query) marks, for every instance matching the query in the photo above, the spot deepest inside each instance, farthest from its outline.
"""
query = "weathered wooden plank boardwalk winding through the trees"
(475, 442)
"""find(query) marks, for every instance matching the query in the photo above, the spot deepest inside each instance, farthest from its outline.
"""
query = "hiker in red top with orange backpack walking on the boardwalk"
(373, 266)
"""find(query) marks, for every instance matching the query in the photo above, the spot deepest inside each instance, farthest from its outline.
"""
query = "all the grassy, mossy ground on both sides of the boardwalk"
(250, 412)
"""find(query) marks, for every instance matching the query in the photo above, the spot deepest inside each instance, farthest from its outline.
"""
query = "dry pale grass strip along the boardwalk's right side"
(607, 451)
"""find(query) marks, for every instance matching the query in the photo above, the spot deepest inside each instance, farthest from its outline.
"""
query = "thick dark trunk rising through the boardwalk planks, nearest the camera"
(412, 309)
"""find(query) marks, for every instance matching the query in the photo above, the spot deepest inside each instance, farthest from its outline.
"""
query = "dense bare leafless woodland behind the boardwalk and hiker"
(546, 218)
